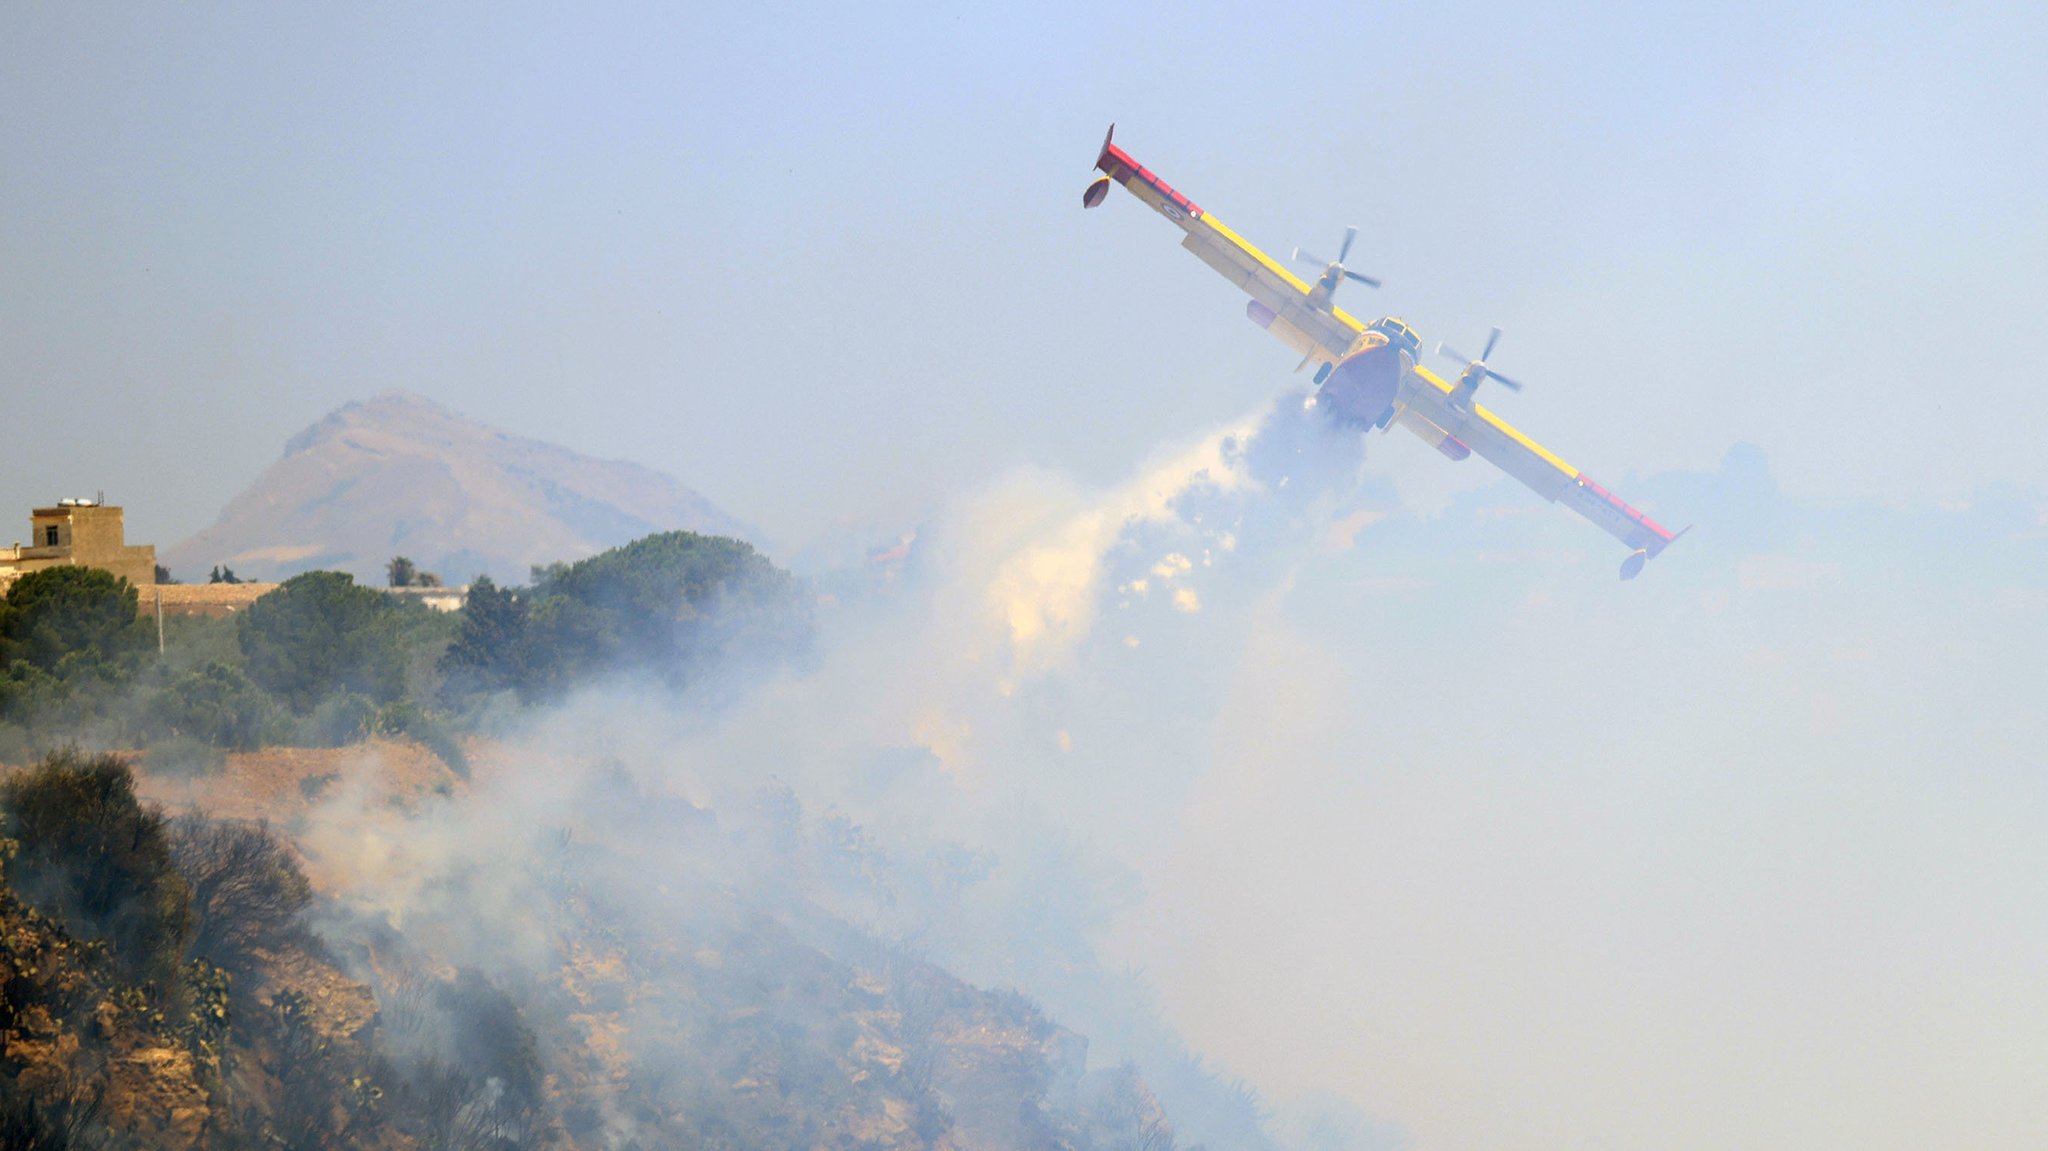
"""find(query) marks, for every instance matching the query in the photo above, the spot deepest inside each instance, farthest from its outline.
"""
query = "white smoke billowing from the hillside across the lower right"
(1455, 843)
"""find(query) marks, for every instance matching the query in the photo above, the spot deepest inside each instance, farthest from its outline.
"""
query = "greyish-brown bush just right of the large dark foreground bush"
(249, 890)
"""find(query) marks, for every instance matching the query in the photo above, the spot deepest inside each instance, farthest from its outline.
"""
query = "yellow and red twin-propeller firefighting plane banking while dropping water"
(1367, 374)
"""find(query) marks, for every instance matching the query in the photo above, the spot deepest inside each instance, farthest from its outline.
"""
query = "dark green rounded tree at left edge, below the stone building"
(65, 611)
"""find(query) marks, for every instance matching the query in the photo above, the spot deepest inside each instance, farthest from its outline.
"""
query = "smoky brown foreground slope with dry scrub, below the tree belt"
(632, 974)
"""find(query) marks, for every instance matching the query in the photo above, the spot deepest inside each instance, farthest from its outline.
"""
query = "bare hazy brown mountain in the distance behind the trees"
(404, 476)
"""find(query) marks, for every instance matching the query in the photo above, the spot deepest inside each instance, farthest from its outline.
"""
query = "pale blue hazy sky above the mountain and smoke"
(828, 263)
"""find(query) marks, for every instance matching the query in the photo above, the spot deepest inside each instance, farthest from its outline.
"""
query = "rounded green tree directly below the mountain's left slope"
(321, 634)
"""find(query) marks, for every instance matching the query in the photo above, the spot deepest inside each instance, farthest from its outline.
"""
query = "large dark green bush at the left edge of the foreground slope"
(97, 861)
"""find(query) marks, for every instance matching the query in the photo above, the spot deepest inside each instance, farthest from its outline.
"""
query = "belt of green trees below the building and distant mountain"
(327, 663)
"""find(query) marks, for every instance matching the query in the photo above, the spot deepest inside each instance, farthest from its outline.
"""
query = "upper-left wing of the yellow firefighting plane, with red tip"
(1279, 298)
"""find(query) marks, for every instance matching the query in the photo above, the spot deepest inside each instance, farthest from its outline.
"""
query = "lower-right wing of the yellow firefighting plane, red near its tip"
(1431, 411)
